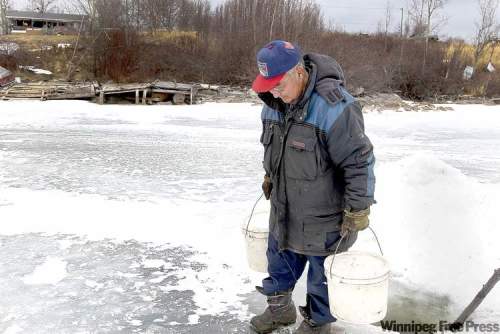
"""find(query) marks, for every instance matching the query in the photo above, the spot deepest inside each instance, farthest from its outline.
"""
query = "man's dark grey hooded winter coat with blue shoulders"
(319, 159)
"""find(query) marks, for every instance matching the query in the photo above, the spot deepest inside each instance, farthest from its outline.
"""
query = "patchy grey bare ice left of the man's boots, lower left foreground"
(100, 292)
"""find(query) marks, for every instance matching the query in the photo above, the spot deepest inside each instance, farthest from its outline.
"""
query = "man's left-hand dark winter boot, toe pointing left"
(280, 312)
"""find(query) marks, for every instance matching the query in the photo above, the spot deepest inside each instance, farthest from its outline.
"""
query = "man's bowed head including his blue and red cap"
(282, 72)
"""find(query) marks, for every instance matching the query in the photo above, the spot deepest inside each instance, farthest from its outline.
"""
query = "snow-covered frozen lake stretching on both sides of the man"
(121, 219)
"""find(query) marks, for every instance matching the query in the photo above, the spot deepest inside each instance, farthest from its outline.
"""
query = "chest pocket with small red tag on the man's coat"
(301, 158)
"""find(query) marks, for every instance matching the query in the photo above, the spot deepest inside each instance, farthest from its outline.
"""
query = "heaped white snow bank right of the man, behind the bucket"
(438, 227)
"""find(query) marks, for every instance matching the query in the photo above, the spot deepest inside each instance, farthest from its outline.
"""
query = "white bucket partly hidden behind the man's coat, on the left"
(256, 233)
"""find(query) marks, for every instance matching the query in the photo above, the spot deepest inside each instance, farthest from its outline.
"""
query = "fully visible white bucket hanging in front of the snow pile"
(358, 287)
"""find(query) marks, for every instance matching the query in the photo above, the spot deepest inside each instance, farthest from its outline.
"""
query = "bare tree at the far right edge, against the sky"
(487, 28)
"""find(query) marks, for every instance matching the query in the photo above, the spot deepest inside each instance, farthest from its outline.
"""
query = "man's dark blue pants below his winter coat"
(285, 269)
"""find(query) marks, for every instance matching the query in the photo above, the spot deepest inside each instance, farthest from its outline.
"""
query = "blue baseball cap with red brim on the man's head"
(273, 61)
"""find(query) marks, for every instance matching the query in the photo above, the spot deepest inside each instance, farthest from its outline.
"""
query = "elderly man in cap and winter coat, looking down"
(319, 178)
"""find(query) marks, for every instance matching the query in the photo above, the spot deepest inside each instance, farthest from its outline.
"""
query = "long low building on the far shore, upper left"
(44, 23)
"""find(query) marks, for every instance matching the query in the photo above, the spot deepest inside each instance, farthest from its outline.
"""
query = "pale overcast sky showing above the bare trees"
(364, 15)
